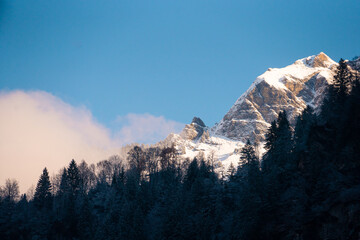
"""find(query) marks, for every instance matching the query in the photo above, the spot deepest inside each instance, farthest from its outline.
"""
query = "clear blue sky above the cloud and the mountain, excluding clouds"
(176, 59)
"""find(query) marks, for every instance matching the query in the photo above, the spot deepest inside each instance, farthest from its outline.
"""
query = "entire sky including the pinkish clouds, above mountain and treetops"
(78, 78)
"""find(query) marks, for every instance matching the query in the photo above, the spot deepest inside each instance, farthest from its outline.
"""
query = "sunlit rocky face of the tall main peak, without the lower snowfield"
(290, 88)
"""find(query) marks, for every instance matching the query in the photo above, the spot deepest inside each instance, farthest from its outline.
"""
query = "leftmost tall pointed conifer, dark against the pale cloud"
(42, 197)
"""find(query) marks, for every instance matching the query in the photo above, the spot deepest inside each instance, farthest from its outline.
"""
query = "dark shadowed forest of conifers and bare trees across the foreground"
(306, 186)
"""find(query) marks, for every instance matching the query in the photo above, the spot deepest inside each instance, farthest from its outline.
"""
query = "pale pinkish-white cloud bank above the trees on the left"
(38, 129)
